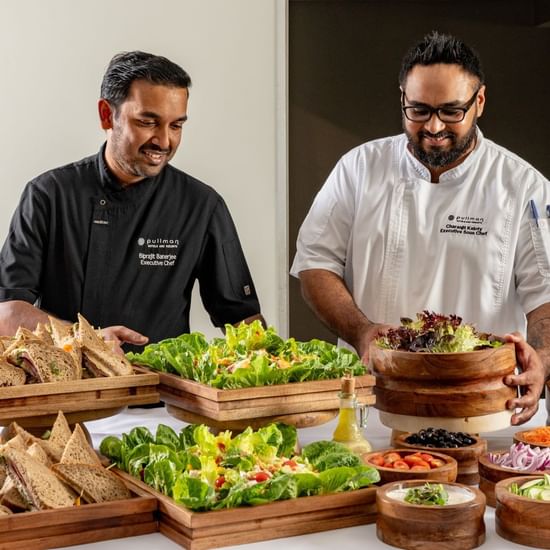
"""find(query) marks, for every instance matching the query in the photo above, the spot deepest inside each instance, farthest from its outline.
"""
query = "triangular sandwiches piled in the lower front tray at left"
(64, 470)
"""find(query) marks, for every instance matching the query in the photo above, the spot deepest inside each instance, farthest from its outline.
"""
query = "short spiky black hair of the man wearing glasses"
(437, 48)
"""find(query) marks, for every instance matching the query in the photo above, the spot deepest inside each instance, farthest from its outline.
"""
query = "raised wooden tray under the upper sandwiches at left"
(80, 400)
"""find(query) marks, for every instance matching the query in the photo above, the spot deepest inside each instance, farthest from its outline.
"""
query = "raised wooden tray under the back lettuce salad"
(258, 402)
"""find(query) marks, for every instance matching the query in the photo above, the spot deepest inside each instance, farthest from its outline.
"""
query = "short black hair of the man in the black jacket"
(126, 67)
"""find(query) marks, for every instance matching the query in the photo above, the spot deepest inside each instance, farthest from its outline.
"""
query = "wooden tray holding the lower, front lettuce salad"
(203, 530)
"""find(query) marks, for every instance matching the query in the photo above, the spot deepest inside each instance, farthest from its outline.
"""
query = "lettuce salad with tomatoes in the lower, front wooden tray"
(203, 471)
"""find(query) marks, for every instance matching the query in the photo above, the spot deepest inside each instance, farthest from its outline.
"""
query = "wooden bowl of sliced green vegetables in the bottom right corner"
(520, 519)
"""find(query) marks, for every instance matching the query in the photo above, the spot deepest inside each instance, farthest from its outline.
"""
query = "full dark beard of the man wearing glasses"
(440, 158)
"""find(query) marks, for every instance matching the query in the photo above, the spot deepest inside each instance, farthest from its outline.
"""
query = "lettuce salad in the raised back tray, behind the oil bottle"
(248, 356)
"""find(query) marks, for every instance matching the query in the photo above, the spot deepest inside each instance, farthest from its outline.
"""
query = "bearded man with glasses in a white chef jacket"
(437, 218)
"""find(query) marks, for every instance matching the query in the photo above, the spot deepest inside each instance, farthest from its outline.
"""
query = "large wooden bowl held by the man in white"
(456, 391)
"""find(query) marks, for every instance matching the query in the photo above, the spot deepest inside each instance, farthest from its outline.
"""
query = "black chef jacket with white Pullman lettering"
(80, 242)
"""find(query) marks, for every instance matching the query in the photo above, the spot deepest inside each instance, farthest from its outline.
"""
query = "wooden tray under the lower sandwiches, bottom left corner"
(80, 524)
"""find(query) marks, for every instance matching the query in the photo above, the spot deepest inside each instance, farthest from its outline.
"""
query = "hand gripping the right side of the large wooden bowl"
(531, 379)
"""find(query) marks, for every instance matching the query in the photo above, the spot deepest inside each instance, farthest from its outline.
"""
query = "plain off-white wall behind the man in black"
(52, 57)
